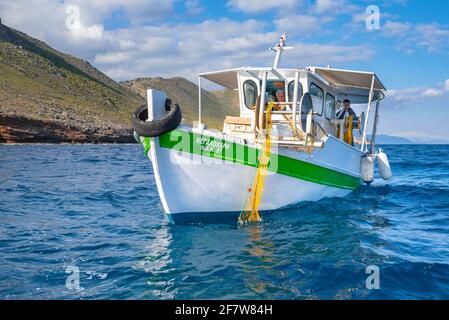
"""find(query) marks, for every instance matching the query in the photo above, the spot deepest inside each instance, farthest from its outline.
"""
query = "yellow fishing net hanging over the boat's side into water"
(250, 211)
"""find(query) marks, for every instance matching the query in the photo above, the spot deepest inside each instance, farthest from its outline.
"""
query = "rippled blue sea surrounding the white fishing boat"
(93, 212)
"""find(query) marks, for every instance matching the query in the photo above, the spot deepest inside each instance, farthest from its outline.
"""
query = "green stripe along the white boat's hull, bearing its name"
(242, 154)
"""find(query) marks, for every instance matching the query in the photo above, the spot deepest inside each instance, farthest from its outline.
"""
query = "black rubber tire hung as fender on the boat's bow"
(156, 128)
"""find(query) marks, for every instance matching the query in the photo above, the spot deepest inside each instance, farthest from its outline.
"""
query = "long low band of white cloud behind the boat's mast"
(186, 49)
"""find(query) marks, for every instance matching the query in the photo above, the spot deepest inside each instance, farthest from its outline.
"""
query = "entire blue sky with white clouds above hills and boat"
(407, 46)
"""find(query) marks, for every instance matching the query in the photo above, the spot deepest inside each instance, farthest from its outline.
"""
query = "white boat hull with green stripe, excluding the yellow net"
(194, 179)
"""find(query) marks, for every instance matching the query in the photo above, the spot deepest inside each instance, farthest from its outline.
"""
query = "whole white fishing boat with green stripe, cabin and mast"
(290, 116)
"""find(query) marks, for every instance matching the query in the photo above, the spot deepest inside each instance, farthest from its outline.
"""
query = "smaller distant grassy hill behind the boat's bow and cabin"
(216, 105)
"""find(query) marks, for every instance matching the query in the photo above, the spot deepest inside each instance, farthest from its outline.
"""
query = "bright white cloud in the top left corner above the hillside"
(47, 21)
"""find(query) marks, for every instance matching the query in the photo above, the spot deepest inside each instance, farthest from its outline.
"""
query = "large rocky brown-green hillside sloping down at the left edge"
(49, 96)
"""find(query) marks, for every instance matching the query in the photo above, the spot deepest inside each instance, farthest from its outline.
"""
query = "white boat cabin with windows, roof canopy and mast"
(306, 100)
